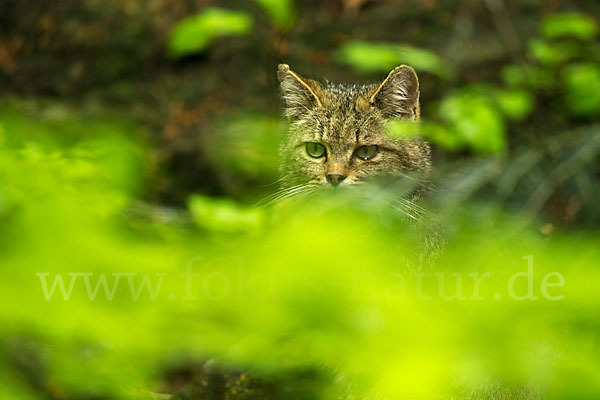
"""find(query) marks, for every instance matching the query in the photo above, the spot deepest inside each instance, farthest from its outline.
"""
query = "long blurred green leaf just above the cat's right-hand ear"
(369, 57)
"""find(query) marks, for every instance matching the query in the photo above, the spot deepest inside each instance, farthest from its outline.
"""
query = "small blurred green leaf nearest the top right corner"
(574, 25)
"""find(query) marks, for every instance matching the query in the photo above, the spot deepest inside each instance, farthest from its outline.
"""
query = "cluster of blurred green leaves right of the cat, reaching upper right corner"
(476, 116)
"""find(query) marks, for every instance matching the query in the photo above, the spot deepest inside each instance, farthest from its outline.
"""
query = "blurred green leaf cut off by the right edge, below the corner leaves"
(582, 84)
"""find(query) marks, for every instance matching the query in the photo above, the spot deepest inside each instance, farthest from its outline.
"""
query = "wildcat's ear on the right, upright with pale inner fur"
(398, 94)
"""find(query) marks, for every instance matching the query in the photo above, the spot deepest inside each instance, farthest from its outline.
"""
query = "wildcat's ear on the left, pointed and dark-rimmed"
(300, 94)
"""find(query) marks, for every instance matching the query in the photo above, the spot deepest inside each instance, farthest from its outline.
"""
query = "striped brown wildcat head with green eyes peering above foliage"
(337, 134)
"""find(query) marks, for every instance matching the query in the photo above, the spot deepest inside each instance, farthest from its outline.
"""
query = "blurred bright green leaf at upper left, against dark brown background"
(194, 34)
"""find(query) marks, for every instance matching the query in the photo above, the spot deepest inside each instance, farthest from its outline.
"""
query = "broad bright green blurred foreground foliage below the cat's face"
(330, 285)
